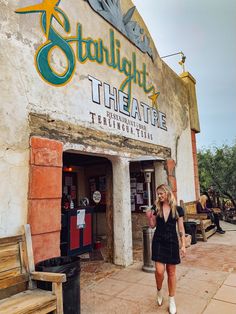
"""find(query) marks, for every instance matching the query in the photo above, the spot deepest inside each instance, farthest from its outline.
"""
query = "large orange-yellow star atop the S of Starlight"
(47, 6)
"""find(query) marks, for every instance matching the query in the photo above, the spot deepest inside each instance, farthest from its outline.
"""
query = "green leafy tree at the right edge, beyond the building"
(217, 167)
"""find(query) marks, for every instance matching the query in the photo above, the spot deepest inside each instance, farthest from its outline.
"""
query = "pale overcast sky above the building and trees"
(205, 30)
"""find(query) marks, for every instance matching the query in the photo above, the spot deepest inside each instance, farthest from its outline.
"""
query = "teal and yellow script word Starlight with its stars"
(87, 49)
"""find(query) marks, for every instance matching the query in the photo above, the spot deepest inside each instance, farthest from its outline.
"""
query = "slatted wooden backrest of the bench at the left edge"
(14, 276)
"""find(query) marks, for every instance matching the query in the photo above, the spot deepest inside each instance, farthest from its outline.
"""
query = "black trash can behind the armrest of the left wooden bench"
(71, 288)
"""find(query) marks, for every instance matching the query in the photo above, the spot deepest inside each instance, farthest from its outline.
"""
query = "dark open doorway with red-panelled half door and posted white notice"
(86, 205)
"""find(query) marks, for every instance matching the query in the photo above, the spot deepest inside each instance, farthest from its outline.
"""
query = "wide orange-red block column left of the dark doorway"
(44, 198)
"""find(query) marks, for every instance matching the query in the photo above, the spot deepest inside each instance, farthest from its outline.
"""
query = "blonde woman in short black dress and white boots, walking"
(166, 216)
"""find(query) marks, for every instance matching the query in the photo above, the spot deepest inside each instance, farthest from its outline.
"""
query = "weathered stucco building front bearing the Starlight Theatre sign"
(84, 90)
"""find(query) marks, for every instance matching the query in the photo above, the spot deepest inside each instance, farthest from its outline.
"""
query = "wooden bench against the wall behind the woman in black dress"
(205, 227)
